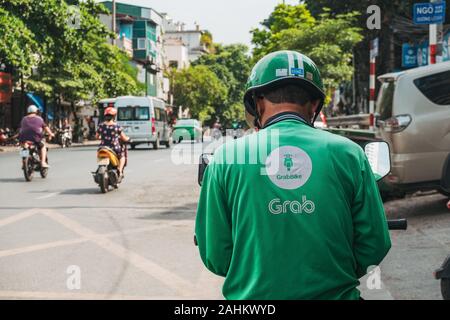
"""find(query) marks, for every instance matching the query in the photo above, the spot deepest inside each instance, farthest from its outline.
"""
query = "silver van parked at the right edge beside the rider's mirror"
(413, 116)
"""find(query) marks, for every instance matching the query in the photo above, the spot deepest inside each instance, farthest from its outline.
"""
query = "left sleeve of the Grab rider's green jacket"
(213, 225)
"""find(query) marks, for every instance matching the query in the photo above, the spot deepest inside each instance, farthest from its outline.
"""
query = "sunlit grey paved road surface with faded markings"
(136, 242)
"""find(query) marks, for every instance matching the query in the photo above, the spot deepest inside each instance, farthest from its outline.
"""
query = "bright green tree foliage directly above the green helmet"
(328, 40)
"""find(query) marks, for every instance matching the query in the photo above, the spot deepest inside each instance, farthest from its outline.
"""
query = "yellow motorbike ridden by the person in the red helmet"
(107, 174)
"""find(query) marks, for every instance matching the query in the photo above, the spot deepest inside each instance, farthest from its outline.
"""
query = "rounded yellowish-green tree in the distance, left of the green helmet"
(198, 89)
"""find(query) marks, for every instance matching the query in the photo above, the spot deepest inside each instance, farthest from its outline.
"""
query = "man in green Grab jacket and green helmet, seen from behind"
(291, 212)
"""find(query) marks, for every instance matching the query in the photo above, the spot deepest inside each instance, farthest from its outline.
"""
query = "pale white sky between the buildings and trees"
(229, 21)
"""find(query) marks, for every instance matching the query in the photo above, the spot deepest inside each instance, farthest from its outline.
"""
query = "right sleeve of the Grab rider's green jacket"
(371, 235)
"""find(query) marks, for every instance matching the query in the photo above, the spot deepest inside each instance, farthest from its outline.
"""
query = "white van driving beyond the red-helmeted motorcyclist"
(144, 120)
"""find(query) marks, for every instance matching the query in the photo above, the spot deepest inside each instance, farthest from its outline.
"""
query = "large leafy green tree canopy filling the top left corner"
(69, 63)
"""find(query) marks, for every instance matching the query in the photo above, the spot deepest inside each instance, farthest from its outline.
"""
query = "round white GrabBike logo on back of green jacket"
(288, 167)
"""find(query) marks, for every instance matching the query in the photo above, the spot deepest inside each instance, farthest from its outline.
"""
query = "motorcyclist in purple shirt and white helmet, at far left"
(32, 129)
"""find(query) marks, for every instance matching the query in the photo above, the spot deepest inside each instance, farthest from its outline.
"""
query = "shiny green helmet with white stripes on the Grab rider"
(284, 67)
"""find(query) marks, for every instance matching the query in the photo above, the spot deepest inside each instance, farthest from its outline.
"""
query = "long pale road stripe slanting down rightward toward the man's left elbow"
(163, 275)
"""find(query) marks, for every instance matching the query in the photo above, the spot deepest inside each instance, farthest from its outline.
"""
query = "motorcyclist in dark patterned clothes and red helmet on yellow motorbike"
(111, 135)
